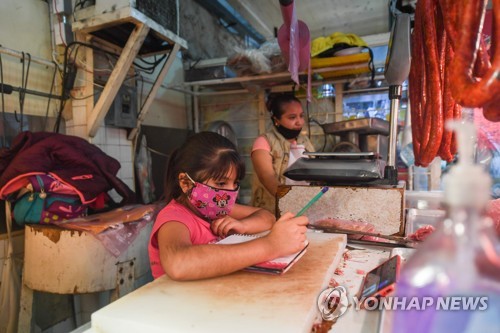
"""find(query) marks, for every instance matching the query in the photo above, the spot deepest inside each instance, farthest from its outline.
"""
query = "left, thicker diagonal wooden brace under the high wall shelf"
(115, 81)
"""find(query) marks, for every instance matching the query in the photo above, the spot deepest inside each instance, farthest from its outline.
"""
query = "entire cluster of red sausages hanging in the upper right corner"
(444, 76)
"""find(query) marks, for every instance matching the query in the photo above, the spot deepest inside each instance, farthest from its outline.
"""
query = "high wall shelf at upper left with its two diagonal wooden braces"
(136, 35)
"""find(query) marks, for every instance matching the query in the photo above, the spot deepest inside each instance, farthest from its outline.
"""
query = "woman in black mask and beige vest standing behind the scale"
(274, 151)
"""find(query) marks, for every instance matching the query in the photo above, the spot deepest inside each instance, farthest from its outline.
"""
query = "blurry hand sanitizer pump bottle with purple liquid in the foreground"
(452, 282)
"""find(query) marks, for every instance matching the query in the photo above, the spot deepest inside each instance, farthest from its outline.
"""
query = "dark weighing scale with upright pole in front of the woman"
(359, 159)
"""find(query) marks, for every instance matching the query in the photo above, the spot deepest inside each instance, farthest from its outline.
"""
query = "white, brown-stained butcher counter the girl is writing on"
(252, 302)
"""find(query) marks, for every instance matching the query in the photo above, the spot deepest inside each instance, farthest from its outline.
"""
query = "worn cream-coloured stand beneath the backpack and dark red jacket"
(63, 261)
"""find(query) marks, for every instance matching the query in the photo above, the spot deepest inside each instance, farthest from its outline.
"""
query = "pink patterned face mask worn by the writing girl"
(211, 202)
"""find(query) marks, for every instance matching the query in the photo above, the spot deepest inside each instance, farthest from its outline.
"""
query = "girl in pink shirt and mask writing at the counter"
(201, 187)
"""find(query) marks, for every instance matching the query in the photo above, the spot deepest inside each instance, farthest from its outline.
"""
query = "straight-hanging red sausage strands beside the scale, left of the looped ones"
(426, 84)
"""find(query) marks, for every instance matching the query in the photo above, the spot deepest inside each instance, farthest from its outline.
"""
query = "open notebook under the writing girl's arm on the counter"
(276, 266)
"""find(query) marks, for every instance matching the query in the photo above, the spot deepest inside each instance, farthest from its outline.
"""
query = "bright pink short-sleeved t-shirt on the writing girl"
(199, 229)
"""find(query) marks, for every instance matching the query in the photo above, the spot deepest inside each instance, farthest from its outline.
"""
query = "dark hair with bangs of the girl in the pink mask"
(203, 156)
